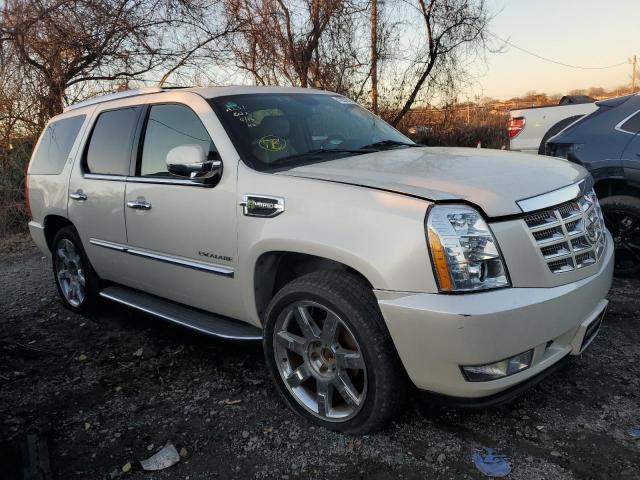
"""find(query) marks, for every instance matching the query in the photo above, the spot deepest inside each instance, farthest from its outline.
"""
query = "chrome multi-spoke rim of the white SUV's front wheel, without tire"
(320, 361)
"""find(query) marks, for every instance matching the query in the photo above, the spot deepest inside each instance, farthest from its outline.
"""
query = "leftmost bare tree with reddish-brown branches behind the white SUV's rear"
(63, 43)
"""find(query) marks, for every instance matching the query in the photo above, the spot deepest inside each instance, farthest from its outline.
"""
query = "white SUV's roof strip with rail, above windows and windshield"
(206, 92)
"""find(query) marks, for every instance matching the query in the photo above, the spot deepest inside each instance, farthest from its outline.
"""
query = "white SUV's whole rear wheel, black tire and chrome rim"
(78, 284)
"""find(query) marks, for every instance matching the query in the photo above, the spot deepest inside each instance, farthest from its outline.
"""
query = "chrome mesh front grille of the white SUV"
(571, 235)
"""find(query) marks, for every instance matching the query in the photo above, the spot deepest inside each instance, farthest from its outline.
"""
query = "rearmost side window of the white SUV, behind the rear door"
(55, 146)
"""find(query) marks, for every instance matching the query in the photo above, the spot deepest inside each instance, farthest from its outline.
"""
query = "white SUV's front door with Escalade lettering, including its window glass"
(181, 235)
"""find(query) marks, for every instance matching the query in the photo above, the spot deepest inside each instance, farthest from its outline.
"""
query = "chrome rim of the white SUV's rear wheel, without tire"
(69, 272)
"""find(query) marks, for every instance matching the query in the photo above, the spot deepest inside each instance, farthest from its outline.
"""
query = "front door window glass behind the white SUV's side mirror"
(170, 126)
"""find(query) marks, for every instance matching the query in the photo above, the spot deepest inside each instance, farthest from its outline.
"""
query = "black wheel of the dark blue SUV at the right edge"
(622, 218)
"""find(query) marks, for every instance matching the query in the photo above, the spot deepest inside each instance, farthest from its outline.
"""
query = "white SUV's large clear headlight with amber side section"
(464, 254)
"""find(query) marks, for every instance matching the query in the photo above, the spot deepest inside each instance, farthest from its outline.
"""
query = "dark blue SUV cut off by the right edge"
(607, 143)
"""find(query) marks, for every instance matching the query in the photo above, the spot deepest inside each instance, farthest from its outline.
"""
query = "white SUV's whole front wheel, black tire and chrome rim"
(330, 354)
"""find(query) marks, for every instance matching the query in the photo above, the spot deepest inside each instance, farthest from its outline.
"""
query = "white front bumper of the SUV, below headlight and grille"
(436, 333)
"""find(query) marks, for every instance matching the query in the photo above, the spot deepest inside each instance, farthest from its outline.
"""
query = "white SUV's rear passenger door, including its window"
(97, 188)
